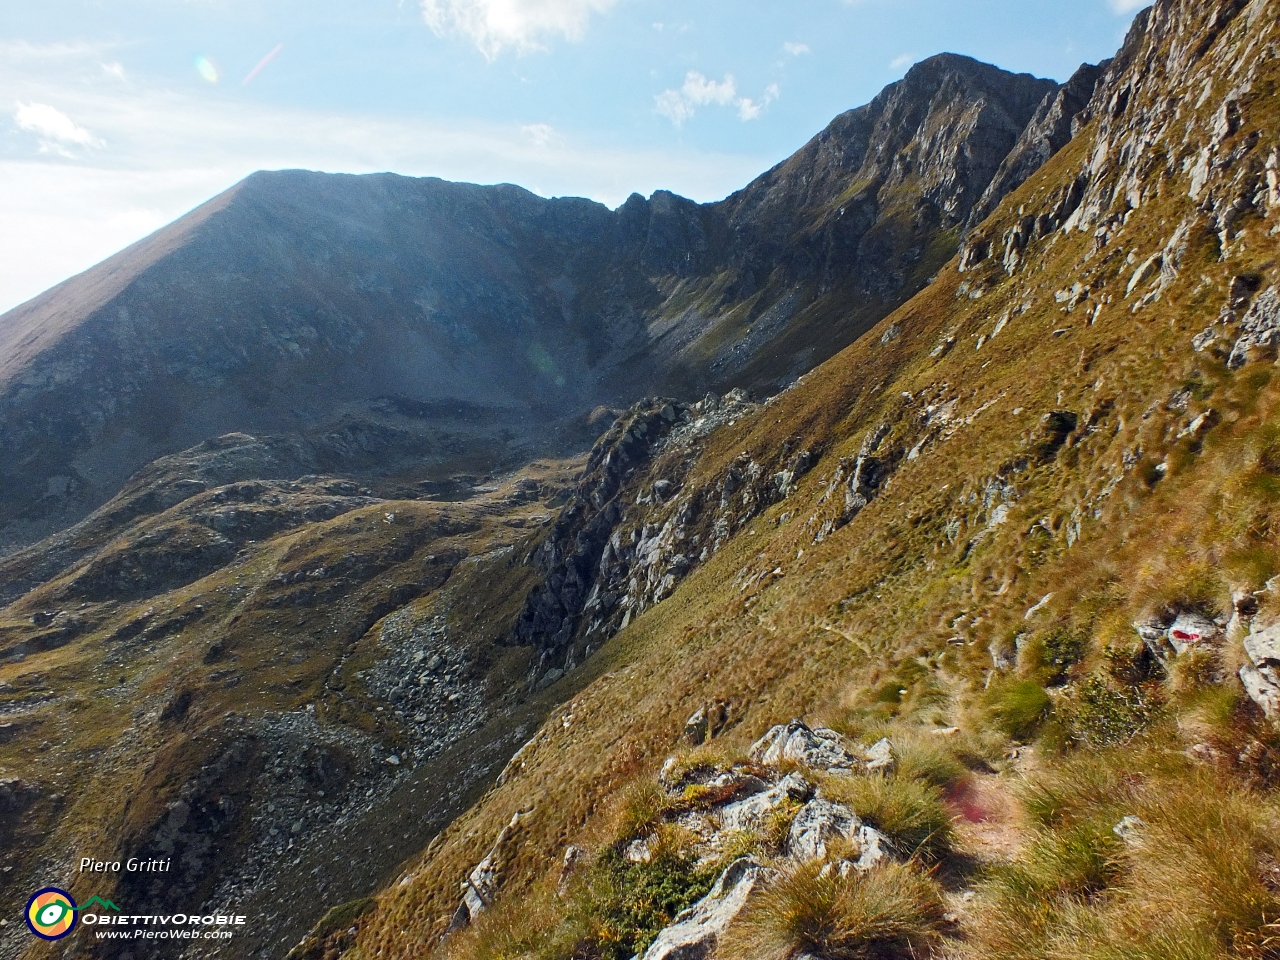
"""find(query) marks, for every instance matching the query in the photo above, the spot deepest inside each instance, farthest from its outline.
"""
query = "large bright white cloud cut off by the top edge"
(496, 26)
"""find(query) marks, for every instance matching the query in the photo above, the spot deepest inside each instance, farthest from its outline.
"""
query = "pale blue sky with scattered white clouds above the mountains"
(118, 116)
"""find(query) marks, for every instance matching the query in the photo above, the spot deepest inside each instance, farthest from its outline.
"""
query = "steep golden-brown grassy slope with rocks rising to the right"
(1053, 461)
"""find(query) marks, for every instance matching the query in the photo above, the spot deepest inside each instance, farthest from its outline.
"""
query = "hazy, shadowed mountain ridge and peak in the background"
(321, 305)
